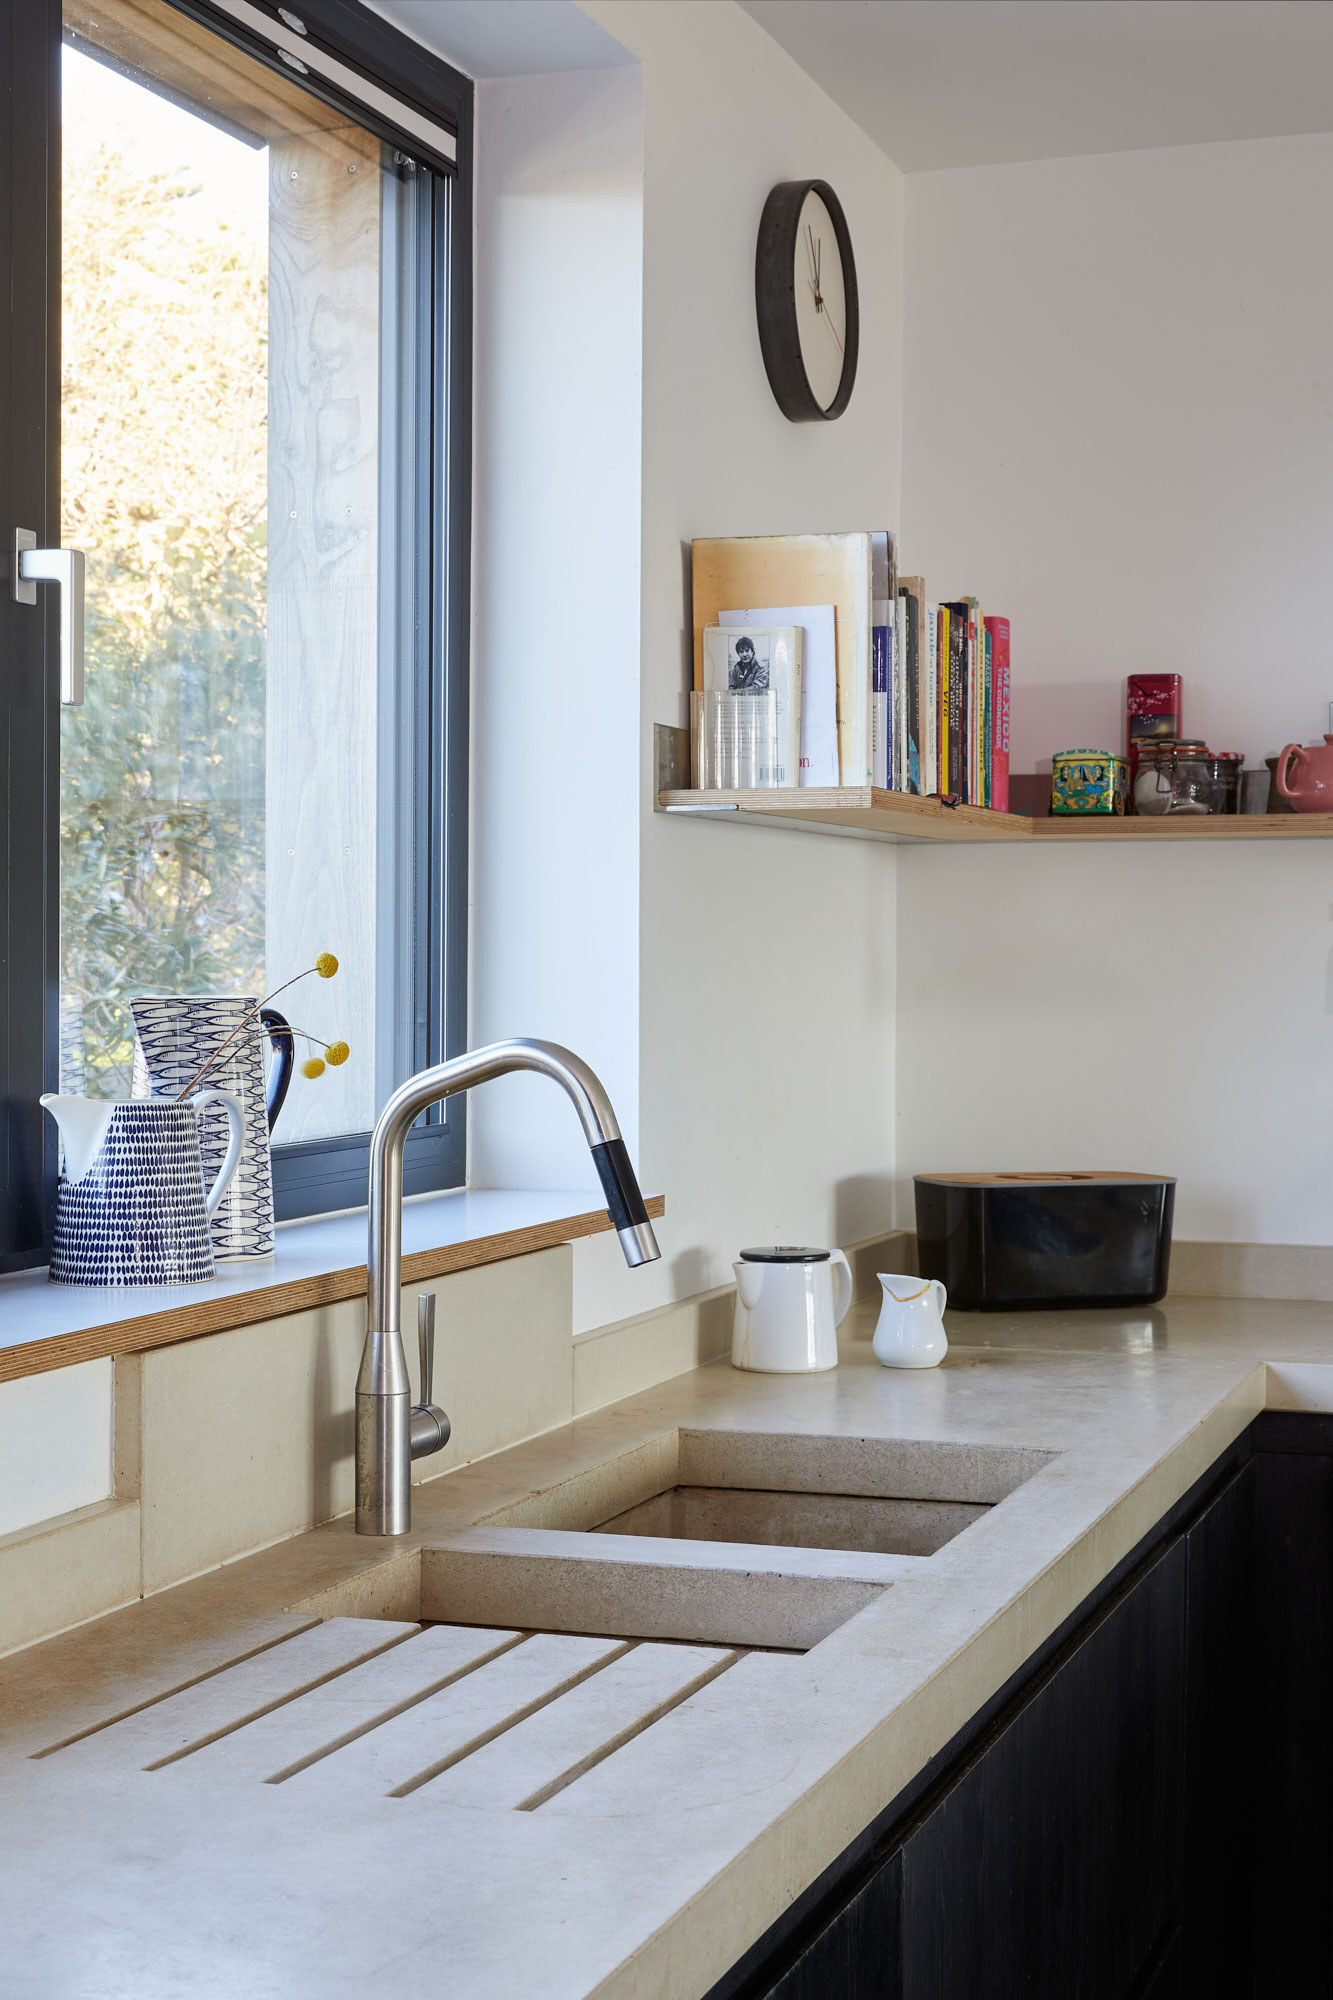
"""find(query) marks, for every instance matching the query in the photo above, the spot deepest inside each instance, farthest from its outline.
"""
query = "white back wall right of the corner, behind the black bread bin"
(1122, 437)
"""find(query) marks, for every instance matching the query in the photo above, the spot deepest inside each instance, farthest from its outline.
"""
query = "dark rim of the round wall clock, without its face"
(776, 303)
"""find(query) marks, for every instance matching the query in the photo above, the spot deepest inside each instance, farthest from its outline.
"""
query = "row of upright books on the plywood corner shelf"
(874, 683)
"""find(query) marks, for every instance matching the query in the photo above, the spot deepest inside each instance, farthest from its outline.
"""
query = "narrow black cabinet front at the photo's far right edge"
(1290, 1729)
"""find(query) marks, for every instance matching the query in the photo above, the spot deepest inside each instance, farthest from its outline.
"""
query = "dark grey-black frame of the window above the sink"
(321, 1175)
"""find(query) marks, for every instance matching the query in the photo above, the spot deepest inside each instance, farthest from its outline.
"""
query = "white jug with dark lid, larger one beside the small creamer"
(790, 1307)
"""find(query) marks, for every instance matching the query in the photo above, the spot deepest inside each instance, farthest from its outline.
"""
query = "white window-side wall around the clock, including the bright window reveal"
(734, 989)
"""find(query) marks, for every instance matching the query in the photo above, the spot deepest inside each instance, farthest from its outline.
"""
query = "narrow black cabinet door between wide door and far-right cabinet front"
(1220, 1609)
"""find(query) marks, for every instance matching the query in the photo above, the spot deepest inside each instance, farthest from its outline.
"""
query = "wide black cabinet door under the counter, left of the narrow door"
(1054, 1863)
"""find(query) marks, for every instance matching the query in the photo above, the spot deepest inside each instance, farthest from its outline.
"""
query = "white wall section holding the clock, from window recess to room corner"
(768, 959)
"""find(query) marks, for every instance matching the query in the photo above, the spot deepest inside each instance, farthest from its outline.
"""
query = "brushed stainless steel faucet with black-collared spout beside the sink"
(391, 1433)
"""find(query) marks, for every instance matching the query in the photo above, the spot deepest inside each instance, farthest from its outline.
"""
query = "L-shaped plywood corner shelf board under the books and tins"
(872, 815)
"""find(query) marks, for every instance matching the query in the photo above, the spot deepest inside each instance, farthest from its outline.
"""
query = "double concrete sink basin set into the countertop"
(720, 1537)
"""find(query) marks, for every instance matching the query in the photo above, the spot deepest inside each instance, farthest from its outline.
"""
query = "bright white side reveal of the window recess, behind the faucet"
(555, 633)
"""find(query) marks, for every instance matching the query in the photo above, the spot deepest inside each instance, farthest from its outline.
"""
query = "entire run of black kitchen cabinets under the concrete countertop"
(1148, 1811)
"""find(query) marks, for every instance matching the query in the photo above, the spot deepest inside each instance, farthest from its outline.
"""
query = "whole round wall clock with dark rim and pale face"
(806, 297)
